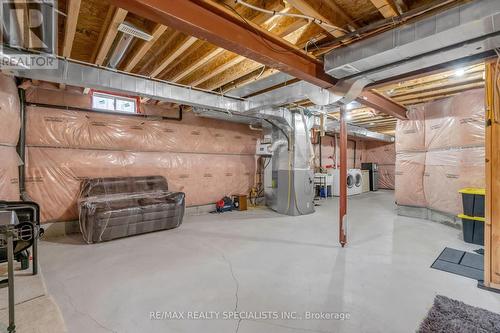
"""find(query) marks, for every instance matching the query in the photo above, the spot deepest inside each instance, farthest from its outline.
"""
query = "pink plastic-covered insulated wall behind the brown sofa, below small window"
(204, 158)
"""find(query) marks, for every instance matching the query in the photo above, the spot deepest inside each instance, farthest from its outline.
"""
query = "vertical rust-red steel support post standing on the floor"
(343, 178)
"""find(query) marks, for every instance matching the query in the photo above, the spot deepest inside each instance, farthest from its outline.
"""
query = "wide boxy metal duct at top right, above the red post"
(419, 45)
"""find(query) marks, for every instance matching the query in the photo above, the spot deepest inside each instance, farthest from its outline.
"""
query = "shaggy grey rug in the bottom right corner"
(451, 316)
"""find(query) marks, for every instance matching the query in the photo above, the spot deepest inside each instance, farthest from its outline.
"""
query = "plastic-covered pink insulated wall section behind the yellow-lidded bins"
(452, 155)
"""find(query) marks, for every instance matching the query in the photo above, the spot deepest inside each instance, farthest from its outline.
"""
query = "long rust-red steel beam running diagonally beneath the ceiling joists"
(218, 25)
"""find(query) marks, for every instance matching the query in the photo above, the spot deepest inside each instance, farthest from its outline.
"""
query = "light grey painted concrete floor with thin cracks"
(259, 261)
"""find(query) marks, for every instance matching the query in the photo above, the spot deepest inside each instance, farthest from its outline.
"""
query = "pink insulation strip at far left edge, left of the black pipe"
(9, 134)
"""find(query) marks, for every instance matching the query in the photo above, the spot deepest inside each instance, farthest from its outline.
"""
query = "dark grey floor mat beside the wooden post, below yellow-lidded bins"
(462, 263)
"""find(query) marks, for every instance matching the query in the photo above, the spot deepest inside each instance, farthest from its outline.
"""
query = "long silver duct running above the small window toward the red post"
(85, 75)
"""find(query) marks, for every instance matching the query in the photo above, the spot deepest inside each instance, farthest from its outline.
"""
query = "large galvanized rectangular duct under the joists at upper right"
(465, 23)
